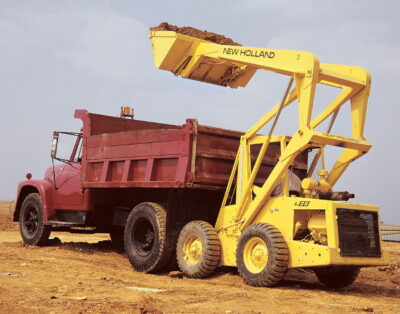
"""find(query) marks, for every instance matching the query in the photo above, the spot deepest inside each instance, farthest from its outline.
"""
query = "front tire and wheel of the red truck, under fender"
(31, 221)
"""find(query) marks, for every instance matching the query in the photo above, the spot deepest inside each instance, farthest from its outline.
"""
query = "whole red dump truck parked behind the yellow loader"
(145, 178)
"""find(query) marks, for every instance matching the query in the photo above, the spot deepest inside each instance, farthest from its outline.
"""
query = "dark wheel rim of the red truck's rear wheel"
(143, 237)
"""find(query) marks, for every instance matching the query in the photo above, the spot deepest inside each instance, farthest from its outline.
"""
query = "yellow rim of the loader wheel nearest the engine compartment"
(255, 255)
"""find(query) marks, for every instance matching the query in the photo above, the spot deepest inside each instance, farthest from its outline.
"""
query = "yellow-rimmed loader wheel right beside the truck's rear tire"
(198, 249)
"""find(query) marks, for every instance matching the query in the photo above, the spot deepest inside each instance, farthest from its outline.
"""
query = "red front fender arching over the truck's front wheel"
(43, 188)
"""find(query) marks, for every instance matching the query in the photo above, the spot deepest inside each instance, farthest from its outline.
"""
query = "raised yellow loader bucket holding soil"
(188, 57)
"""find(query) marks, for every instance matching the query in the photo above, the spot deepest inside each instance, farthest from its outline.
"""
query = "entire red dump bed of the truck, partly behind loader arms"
(131, 153)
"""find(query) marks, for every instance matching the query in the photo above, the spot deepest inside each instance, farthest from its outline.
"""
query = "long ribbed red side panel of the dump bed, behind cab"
(136, 154)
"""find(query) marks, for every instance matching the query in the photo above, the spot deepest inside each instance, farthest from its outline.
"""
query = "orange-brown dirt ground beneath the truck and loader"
(83, 273)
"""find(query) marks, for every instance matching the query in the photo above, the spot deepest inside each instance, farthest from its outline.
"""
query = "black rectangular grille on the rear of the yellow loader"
(358, 233)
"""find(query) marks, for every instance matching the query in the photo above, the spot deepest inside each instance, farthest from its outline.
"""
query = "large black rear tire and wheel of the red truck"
(145, 238)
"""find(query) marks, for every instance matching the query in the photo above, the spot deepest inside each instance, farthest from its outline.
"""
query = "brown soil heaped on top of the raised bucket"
(197, 33)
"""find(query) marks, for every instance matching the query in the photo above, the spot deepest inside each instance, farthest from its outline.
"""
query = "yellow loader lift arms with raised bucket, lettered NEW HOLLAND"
(234, 66)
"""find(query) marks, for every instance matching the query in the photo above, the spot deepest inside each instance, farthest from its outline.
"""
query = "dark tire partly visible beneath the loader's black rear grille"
(337, 277)
